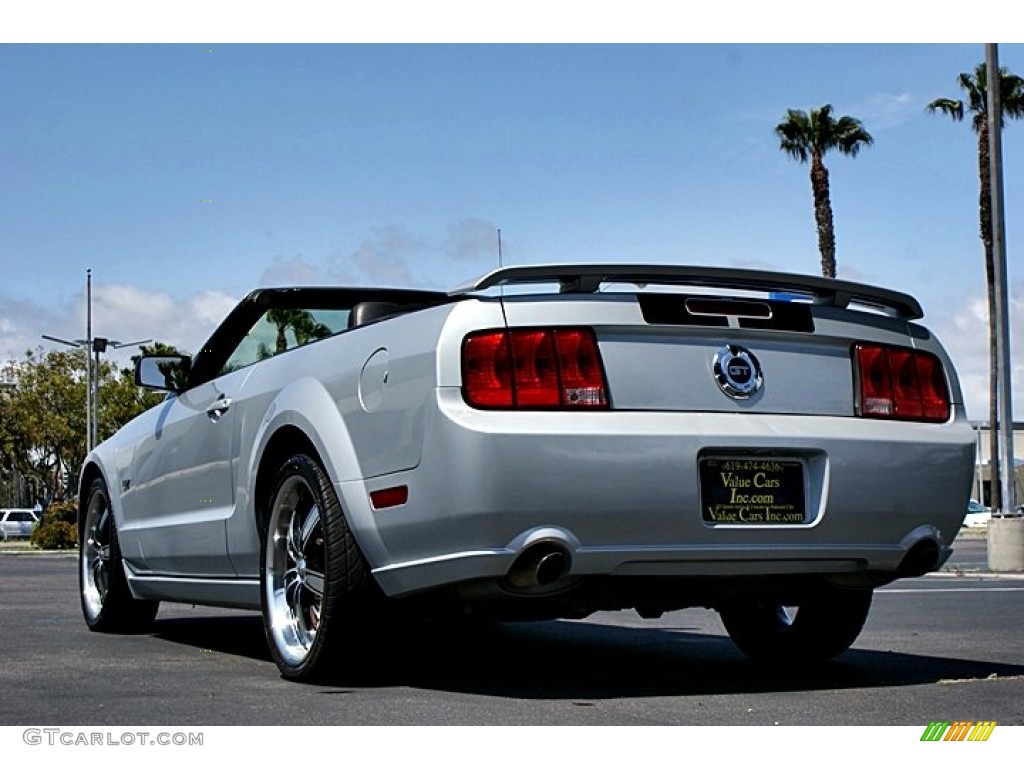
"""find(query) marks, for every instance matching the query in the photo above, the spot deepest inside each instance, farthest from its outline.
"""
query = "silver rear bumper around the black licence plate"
(620, 493)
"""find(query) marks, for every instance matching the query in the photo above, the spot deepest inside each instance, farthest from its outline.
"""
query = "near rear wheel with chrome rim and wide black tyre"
(316, 585)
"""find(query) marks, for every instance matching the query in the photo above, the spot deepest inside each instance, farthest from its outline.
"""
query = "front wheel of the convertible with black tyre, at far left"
(107, 602)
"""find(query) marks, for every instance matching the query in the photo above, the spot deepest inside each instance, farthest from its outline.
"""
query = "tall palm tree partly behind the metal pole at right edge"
(1012, 94)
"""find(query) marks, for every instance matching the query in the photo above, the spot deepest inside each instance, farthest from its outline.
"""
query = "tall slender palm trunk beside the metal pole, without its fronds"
(986, 214)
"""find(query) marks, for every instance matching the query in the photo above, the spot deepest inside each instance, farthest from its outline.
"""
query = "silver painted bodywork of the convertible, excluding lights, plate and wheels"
(619, 491)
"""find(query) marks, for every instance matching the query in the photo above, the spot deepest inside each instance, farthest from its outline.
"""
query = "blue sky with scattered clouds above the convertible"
(187, 175)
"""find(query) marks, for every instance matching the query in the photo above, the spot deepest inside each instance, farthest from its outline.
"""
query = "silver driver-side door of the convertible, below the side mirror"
(181, 491)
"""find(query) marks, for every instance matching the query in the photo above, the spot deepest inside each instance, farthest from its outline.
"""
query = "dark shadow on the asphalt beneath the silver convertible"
(577, 661)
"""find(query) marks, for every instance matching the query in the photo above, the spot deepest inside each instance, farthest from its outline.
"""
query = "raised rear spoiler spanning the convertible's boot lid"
(589, 278)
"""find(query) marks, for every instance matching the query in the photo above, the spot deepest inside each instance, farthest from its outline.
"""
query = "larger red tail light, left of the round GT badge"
(530, 368)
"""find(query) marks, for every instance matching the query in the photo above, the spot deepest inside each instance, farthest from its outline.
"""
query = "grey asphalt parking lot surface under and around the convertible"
(944, 647)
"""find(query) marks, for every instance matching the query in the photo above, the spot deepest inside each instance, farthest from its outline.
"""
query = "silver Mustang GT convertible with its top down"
(545, 442)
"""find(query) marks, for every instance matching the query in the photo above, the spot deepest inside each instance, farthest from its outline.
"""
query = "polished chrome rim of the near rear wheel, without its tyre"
(294, 567)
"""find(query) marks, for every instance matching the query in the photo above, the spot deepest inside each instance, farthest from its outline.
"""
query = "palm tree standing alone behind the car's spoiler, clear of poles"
(808, 138)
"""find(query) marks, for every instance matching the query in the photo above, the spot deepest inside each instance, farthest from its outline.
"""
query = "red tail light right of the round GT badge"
(901, 383)
